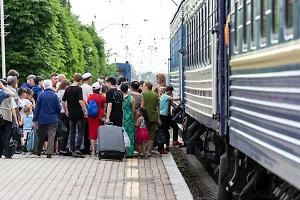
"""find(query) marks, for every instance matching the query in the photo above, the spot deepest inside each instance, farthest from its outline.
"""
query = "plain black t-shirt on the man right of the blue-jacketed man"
(72, 96)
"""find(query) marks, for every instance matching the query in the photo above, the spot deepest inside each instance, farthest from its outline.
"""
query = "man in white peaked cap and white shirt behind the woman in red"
(86, 91)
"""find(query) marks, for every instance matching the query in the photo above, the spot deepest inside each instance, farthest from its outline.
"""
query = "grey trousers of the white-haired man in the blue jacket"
(50, 131)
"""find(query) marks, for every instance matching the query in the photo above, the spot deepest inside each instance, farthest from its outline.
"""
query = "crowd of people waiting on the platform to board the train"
(40, 105)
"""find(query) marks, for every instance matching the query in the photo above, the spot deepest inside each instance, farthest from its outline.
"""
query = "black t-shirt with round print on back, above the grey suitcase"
(115, 97)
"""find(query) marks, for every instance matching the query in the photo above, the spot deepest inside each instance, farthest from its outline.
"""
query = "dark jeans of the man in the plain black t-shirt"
(80, 126)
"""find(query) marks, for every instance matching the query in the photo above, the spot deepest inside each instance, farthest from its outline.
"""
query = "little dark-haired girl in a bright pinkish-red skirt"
(142, 134)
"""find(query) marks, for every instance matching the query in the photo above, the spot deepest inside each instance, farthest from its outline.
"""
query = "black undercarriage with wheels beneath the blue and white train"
(237, 175)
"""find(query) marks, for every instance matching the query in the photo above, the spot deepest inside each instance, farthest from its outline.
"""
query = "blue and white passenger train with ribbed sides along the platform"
(242, 100)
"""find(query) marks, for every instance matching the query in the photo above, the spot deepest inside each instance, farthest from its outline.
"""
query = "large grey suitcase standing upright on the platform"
(110, 142)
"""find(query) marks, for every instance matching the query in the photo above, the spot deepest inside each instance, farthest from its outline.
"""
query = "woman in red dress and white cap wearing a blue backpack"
(94, 122)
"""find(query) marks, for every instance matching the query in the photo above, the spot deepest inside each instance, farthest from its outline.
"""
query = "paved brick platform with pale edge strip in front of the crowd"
(67, 178)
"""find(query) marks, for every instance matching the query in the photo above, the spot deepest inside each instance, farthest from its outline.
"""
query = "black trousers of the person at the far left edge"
(5, 135)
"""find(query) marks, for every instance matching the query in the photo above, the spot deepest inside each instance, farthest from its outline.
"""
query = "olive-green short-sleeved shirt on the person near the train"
(151, 102)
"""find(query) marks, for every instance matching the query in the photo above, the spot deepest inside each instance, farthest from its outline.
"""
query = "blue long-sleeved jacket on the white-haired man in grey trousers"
(47, 108)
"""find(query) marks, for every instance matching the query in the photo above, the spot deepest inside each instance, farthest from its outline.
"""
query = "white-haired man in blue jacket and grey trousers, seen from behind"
(46, 114)
